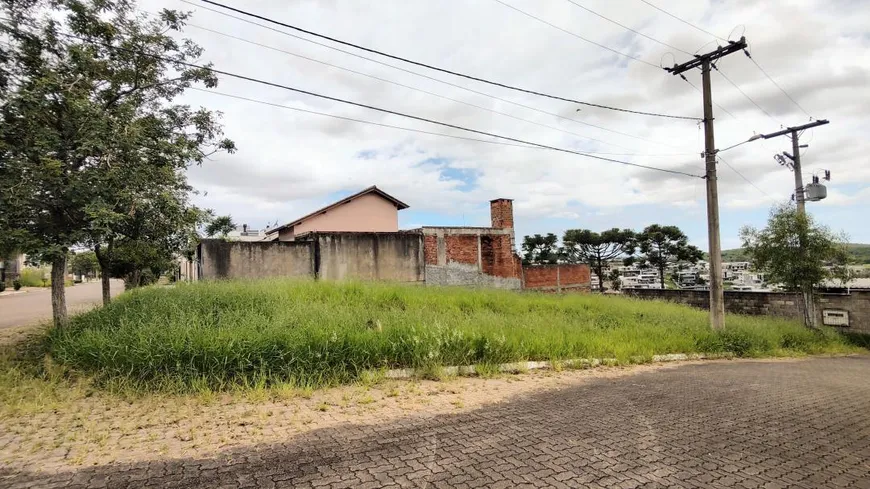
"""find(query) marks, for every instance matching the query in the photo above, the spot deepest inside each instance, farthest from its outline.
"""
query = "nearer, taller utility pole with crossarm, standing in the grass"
(705, 62)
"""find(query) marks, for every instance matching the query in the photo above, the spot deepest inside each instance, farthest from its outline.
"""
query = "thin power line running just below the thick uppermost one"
(470, 90)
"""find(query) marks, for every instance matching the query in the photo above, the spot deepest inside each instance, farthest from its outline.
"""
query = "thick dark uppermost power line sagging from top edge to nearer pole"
(454, 73)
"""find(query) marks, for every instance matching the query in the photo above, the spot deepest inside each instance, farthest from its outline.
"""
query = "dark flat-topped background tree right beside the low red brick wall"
(597, 249)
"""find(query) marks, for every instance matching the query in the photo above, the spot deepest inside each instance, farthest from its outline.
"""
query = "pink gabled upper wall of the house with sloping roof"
(368, 213)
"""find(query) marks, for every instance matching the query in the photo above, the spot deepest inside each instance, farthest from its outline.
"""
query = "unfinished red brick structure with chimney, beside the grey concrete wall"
(475, 256)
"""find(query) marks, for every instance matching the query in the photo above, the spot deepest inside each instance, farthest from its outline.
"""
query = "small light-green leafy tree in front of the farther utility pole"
(796, 252)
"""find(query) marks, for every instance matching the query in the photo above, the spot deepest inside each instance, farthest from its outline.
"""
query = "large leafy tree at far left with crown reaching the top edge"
(85, 125)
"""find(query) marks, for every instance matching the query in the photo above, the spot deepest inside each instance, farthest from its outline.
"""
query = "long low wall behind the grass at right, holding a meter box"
(781, 304)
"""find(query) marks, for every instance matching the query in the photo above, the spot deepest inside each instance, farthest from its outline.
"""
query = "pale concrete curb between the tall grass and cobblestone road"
(465, 370)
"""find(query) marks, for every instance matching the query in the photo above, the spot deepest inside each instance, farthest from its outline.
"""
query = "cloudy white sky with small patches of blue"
(290, 162)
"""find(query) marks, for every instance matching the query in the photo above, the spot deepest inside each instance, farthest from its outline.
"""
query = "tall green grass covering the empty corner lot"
(219, 335)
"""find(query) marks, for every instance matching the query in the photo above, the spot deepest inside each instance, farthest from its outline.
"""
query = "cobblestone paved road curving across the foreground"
(799, 424)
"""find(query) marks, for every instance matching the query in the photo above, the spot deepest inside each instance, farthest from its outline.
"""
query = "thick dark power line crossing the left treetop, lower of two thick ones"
(377, 109)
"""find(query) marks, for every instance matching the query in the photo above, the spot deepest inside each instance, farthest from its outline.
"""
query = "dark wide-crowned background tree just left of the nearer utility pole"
(661, 246)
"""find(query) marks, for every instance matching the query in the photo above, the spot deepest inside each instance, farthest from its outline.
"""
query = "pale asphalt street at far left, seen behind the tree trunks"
(35, 305)
